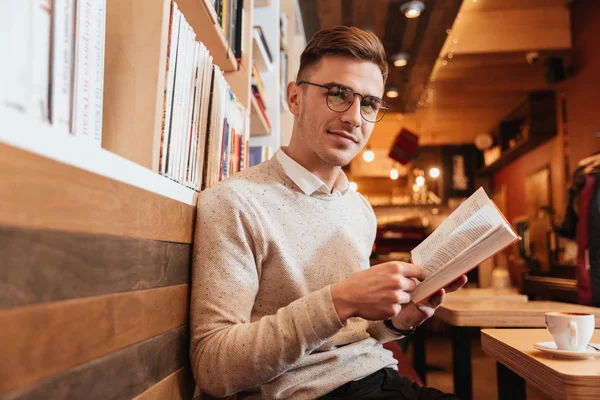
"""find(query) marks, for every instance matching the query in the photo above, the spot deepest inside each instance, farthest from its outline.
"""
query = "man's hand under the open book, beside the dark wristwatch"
(413, 315)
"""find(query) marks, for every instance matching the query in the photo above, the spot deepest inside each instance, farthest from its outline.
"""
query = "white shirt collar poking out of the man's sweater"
(308, 182)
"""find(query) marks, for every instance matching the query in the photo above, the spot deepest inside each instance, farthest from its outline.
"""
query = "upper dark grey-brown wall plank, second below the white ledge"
(42, 266)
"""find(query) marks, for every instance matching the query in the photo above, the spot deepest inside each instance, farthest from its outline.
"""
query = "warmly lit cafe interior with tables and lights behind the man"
(503, 95)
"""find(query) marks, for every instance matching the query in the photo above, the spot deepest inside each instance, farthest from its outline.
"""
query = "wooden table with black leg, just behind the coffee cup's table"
(464, 316)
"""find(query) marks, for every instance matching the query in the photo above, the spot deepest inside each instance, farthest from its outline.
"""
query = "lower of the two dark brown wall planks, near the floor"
(120, 375)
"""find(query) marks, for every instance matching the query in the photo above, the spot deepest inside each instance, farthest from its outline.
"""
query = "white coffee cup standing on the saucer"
(571, 331)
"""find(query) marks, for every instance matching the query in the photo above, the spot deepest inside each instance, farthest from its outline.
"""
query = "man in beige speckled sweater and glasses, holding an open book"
(284, 304)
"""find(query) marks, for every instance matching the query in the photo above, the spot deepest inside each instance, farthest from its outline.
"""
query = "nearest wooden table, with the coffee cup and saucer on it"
(518, 361)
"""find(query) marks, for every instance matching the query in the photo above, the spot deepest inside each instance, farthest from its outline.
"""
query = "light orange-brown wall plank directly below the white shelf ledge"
(37, 192)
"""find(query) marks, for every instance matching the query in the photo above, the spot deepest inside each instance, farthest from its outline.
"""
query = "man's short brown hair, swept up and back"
(345, 41)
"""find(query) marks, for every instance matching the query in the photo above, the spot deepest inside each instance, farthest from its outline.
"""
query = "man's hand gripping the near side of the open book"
(376, 293)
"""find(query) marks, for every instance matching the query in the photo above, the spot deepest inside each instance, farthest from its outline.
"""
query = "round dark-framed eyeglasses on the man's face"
(340, 98)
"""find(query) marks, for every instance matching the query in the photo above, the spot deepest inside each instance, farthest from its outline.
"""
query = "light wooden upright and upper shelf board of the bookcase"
(135, 68)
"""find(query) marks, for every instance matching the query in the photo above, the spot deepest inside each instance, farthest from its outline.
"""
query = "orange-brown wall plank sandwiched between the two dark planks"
(40, 340)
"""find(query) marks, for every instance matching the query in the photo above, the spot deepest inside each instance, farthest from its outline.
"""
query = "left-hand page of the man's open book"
(424, 251)
